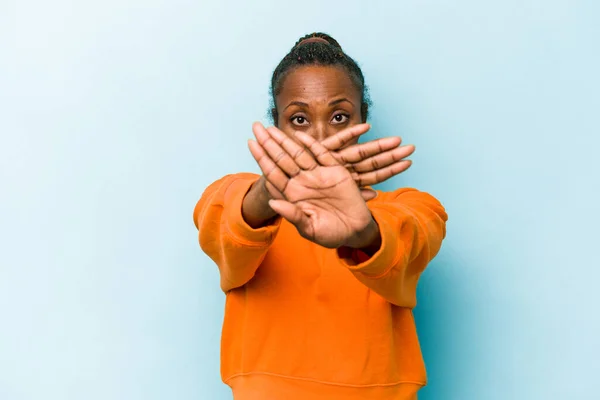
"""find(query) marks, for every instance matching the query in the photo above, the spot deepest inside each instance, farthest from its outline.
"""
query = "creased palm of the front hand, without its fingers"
(329, 207)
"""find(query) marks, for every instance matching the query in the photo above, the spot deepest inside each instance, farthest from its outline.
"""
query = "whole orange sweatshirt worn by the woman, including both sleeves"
(303, 322)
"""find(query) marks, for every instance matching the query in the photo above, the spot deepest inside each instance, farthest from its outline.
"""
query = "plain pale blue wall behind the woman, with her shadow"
(116, 115)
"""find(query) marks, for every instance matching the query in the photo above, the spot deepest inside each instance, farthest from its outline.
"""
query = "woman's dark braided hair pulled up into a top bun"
(318, 53)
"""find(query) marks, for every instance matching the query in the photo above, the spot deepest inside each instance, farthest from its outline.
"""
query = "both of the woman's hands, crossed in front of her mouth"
(320, 187)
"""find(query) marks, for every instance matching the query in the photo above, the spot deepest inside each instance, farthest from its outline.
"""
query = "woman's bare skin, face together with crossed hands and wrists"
(314, 173)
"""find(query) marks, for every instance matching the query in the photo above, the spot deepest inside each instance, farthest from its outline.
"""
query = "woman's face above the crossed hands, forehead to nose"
(318, 100)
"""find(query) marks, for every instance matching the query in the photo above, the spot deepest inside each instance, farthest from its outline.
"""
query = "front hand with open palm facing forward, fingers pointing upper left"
(313, 191)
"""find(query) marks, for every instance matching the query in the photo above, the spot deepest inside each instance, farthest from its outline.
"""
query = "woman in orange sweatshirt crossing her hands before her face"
(320, 271)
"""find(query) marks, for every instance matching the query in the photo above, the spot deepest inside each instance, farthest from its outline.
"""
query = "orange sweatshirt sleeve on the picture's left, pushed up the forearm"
(224, 235)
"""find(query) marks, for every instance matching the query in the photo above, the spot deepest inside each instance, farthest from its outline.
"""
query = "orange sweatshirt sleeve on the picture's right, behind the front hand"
(412, 225)
